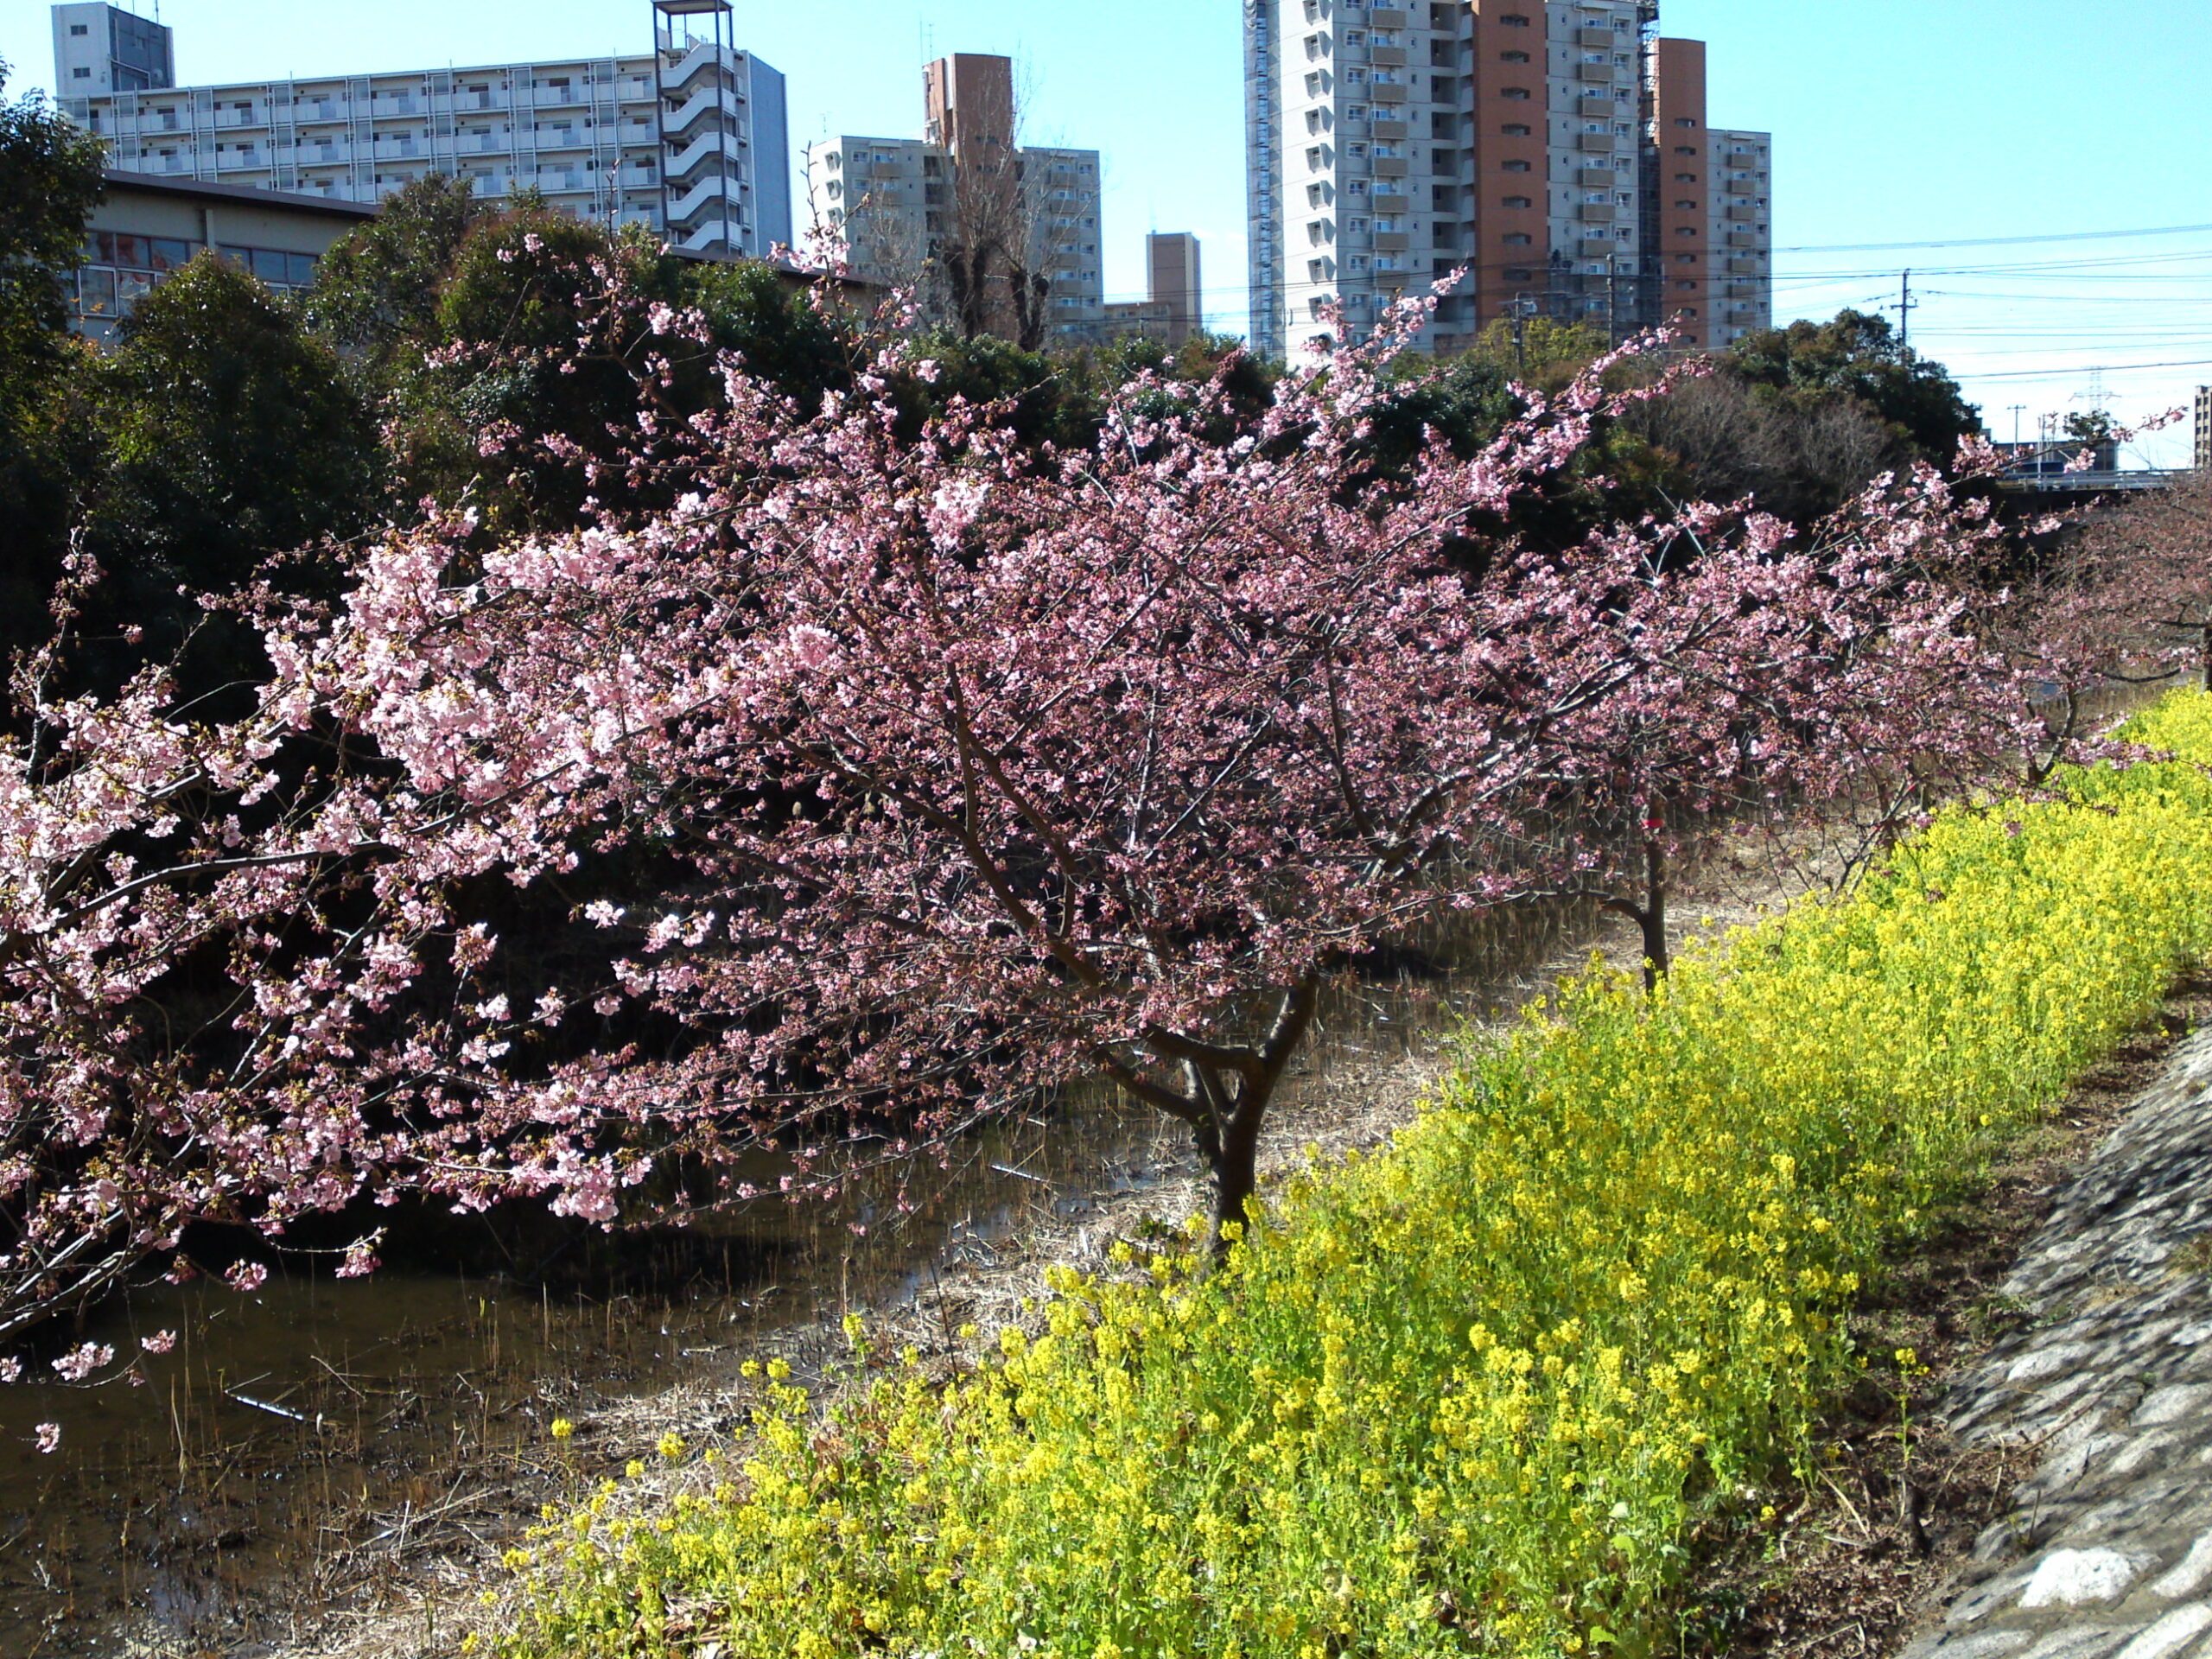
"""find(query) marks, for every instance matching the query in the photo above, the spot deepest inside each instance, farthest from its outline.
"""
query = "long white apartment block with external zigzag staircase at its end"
(689, 138)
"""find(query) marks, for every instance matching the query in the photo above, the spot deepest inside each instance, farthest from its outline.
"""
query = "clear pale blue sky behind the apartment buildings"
(1895, 123)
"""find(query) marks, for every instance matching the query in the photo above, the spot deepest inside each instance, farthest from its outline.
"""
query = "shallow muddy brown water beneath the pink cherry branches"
(298, 1430)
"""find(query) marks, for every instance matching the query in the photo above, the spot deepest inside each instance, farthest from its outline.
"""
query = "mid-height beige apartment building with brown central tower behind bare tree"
(966, 213)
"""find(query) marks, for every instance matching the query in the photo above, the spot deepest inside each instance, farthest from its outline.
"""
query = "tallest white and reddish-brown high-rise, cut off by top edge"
(1556, 149)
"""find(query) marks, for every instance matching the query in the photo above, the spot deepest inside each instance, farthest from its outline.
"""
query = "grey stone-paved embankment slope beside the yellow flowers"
(2107, 1547)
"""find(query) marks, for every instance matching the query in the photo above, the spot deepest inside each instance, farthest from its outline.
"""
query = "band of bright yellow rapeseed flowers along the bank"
(1474, 1392)
